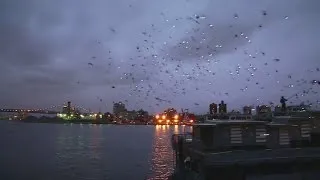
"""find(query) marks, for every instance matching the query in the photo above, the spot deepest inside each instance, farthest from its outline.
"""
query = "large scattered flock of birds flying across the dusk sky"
(163, 61)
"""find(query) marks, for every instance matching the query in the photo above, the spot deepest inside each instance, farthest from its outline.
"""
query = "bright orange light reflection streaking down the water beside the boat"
(162, 153)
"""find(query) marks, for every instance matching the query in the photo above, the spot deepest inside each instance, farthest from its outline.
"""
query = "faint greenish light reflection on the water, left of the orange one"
(78, 151)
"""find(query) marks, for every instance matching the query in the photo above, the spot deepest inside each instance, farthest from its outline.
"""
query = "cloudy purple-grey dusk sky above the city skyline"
(157, 54)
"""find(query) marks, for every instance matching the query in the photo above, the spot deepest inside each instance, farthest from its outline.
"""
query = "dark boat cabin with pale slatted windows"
(243, 134)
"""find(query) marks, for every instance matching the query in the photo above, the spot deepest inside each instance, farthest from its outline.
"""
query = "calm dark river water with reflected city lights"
(74, 151)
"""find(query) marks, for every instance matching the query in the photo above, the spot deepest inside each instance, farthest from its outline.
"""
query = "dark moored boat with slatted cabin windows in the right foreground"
(240, 149)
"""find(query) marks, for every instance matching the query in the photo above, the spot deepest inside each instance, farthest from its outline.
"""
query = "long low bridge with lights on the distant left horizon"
(50, 110)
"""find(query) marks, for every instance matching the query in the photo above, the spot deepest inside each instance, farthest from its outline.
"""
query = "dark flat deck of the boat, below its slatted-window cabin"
(241, 164)
